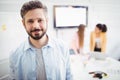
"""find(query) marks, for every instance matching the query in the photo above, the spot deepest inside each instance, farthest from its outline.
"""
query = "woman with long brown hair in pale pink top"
(78, 40)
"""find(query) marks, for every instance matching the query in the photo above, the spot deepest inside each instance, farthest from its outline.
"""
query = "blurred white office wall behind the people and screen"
(12, 32)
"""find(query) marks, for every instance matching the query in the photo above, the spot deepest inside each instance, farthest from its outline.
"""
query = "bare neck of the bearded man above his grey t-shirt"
(39, 43)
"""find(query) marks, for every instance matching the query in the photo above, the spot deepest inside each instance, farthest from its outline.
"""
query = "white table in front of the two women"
(81, 66)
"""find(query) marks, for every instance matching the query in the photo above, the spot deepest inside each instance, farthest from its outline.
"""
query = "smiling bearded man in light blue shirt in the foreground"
(39, 57)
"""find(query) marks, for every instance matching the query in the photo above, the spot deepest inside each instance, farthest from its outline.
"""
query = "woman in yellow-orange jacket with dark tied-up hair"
(98, 38)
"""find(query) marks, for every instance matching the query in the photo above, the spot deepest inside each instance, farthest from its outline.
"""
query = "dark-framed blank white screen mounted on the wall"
(69, 16)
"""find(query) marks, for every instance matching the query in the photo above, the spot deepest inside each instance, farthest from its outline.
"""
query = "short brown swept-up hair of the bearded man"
(34, 4)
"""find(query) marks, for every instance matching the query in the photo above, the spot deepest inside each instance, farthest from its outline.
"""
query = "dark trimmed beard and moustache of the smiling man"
(36, 36)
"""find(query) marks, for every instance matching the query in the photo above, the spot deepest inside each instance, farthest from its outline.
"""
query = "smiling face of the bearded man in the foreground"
(35, 23)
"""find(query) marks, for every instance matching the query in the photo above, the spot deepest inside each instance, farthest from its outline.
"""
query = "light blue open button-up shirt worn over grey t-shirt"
(55, 56)
